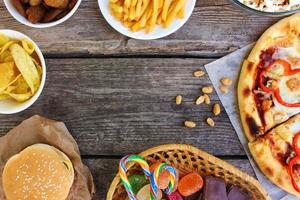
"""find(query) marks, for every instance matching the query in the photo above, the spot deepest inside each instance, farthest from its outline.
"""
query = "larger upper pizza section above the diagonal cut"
(269, 84)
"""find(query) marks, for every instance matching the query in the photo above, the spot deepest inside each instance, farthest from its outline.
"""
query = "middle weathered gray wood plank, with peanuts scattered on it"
(120, 106)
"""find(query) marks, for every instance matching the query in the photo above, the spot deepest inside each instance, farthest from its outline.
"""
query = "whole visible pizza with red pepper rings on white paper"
(269, 103)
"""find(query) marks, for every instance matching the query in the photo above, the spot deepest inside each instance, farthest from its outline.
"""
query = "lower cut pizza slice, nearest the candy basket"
(278, 155)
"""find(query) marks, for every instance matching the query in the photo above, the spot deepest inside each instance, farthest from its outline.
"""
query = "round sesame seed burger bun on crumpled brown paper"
(38, 172)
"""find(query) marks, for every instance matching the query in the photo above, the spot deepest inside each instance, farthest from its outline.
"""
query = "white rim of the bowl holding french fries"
(158, 31)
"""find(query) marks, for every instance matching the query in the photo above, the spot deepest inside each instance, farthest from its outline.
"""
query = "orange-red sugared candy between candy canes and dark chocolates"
(190, 184)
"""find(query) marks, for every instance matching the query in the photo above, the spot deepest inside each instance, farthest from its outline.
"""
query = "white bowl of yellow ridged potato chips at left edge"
(22, 72)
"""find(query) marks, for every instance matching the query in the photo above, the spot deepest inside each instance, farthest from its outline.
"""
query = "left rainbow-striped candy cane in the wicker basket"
(123, 176)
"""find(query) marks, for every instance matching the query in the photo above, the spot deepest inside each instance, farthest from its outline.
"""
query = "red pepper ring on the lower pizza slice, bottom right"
(294, 172)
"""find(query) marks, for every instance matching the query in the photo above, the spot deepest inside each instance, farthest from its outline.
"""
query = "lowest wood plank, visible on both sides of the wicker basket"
(104, 171)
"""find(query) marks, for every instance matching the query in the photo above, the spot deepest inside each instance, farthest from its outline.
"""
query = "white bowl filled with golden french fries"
(146, 19)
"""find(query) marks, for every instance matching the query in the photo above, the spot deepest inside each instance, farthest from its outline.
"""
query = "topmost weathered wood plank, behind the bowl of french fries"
(216, 28)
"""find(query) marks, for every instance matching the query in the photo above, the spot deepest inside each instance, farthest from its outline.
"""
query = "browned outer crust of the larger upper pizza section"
(285, 33)
